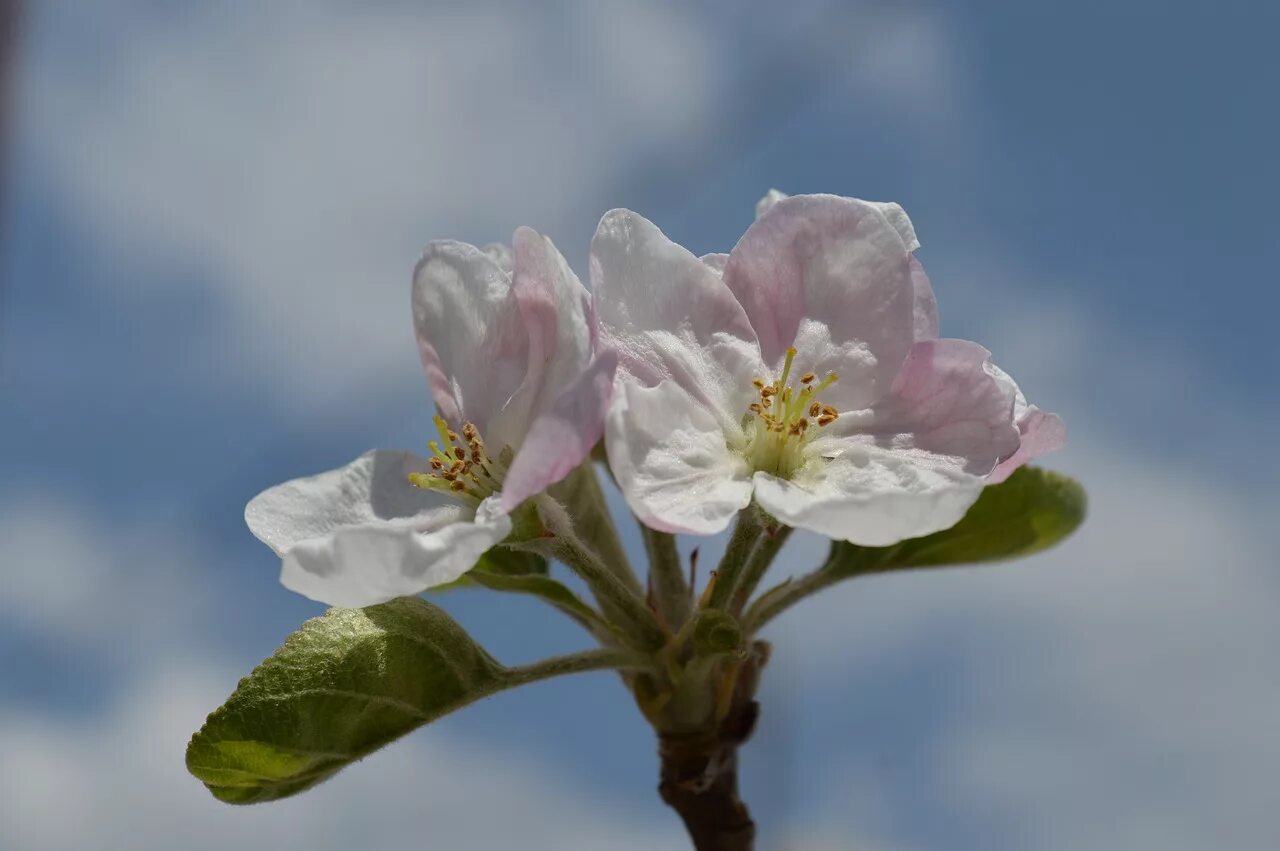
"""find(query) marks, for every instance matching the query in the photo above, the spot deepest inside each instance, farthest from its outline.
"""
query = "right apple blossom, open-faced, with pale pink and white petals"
(803, 370)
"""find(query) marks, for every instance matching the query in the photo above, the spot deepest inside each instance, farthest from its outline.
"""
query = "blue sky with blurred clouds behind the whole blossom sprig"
(211, 218)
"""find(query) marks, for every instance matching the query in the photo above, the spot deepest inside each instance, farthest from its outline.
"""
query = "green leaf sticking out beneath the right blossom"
(1031, 511)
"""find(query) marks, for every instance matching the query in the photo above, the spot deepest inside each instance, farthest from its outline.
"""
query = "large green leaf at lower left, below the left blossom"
(340, 688)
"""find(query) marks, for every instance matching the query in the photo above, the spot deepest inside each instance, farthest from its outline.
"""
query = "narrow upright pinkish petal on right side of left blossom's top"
(555, 306)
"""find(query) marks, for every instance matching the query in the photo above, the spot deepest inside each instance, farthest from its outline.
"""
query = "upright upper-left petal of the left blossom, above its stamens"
(470, 335)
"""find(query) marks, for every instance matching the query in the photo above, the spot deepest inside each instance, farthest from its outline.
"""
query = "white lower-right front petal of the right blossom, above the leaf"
(871, 497)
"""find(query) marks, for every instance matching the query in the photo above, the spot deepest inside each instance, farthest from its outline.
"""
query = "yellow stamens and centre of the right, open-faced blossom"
(784, 420)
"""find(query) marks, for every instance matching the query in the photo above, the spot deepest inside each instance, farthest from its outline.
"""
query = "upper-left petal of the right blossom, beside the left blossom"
(670, 317)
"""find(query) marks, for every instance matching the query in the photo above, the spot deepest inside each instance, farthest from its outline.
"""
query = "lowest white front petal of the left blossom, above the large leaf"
(369, 565)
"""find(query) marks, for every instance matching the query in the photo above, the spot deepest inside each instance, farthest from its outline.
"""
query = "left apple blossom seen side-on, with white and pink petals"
(522, 387)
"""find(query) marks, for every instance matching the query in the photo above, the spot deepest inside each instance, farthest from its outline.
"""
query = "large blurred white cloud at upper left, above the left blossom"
(295, 158)
